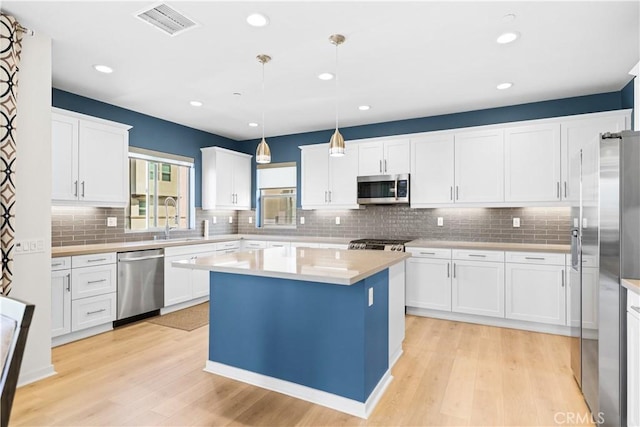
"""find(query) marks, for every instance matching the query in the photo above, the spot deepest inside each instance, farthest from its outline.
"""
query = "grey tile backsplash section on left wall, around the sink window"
(86, 226)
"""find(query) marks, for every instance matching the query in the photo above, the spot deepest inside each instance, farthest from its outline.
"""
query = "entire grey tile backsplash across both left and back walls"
(83, 225)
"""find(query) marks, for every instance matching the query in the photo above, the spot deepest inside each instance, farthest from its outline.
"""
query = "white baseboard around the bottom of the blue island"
(319, 397)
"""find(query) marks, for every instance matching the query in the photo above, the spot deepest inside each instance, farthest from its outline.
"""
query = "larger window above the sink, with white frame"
(156, 177)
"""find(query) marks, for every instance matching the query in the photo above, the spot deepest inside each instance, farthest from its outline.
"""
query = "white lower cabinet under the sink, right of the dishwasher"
(181, 284)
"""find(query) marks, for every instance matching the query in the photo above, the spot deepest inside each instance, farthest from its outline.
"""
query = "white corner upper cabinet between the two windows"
(226, 179)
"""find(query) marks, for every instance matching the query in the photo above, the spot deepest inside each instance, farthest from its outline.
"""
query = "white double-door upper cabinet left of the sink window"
(89, 160)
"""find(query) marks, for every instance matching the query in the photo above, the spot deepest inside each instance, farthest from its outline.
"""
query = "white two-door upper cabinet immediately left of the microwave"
(329, 182)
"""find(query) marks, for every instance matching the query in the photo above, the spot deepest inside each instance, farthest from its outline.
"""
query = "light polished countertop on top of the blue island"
(333, 266)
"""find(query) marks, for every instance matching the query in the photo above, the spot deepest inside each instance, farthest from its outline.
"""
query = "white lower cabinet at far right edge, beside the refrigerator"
(633, 359)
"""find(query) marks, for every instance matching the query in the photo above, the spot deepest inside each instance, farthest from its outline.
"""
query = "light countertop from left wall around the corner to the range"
(61, 251)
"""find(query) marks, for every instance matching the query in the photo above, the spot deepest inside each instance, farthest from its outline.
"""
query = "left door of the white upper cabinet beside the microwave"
(315, 176)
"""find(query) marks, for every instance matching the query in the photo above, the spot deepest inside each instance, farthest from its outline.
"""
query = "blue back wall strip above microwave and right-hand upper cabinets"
(285, 148)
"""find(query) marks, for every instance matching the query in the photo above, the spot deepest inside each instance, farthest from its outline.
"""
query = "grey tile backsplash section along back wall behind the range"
(537, 225)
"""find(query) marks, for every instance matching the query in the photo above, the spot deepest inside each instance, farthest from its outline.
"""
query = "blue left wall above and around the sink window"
(149, 132)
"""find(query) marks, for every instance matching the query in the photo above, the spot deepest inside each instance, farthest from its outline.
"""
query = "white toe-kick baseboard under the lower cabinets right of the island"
(491, 321)
